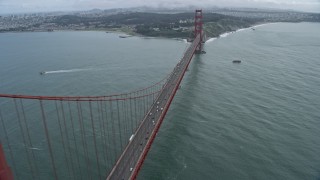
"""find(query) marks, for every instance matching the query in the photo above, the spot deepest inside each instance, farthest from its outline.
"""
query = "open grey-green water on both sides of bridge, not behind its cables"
(259, 119)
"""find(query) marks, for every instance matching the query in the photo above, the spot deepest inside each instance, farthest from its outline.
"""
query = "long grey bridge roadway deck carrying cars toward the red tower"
(129, 163)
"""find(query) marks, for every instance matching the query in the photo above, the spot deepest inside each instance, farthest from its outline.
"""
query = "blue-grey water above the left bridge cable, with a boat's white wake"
(83, 63)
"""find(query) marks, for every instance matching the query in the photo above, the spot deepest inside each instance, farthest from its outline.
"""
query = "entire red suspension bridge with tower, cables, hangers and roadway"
(87, 137)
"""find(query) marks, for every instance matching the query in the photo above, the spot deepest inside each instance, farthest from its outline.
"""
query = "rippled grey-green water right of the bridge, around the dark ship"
(256, 120)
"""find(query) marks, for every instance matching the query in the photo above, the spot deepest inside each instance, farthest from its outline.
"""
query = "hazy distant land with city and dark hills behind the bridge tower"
(160, 23)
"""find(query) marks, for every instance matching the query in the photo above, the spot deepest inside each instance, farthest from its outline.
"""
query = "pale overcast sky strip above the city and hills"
(15, 6)
